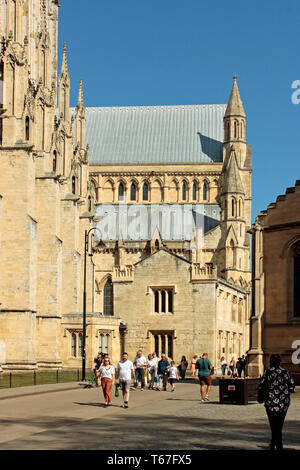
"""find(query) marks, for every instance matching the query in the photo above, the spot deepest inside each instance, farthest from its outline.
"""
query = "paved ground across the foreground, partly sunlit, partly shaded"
(77, 420)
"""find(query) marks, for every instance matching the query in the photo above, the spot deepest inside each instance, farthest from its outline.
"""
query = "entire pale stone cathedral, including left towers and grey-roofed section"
(164, 193)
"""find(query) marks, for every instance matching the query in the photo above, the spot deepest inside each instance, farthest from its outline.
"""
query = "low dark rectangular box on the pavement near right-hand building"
(239, 391)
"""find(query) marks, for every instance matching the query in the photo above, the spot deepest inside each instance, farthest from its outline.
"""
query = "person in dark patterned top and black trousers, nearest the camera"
(274, 391)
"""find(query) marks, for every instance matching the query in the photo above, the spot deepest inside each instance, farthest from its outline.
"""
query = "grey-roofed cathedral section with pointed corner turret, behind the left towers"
(177, 289)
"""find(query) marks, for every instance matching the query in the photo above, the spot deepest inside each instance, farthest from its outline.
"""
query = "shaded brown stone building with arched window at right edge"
(275, 319)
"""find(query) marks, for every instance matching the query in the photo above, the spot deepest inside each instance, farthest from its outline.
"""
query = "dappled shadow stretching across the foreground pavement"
(129, 431)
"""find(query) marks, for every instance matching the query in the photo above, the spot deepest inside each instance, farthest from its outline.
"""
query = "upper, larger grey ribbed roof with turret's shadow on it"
(155, 134)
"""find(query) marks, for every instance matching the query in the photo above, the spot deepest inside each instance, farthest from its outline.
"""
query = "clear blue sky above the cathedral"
(160, 52)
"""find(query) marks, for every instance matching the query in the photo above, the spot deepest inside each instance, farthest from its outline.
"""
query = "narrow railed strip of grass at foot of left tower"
(26, 379)
